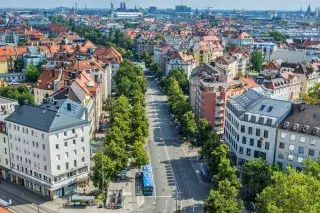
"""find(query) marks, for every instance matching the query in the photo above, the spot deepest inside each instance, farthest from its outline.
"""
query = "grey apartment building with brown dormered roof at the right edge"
(298, 137)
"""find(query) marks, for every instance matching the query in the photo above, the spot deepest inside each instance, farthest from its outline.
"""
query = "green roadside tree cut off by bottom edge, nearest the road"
(223, 199)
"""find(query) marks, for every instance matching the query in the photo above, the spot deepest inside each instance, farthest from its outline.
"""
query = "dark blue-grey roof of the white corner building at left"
(44, 119)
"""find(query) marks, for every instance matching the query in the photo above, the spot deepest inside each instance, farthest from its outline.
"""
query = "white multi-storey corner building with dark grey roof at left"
(49, 150)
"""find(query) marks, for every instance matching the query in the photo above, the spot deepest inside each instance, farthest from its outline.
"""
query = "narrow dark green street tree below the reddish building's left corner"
(203, 134)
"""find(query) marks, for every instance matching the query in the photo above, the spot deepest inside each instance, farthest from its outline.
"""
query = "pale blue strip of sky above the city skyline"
(216, 4)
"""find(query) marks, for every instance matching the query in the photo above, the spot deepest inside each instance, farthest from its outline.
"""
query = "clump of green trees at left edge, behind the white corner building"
(21, 94)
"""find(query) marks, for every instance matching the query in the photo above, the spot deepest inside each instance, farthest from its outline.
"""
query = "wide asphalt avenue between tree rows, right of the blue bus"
(176, 183)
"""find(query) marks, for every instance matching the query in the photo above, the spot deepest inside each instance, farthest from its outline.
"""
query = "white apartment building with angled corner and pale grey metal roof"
(251, 125)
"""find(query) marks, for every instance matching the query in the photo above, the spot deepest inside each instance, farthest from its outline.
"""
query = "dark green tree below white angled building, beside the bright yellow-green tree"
(257, 174)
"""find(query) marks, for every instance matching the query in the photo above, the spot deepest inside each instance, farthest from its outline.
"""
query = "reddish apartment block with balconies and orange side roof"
(211, 90)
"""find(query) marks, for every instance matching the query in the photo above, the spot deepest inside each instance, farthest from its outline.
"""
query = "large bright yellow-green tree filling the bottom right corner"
(290, 192)
